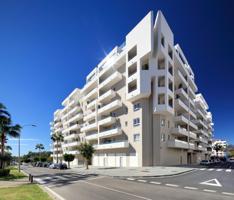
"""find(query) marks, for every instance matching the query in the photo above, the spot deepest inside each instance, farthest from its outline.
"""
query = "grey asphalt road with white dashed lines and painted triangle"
(72, 185)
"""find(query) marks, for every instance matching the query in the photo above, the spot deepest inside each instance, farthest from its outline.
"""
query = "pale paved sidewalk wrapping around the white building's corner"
(134, 172)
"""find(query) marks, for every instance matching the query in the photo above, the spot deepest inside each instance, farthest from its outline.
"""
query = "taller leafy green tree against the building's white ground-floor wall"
(86, 151)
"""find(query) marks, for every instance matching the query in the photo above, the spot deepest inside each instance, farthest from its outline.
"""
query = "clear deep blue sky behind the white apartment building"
(48, 47)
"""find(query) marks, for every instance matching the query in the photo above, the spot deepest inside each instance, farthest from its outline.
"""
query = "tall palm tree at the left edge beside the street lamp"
(6, 129)
